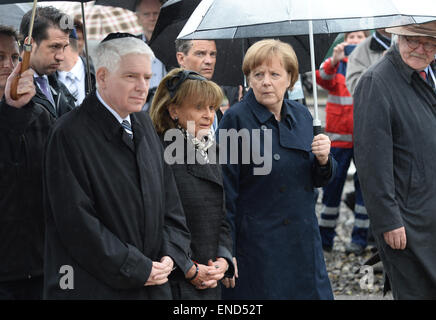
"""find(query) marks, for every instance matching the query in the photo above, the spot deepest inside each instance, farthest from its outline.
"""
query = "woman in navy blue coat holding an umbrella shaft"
(270, 194)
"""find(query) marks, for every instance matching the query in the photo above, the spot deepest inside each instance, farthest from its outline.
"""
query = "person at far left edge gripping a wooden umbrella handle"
(24, 127)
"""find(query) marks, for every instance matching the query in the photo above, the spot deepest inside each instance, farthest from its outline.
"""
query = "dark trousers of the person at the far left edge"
(26, 289)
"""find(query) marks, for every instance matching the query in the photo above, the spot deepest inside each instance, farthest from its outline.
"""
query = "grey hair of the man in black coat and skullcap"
(108, 54)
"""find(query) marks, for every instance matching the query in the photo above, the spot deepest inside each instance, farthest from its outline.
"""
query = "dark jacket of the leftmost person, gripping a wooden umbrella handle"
(23, 133)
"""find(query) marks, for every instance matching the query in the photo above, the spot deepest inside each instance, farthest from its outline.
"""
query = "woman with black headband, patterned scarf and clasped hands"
(183, 110)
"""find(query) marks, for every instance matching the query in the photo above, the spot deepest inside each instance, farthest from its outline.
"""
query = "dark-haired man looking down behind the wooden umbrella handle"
(49, 41)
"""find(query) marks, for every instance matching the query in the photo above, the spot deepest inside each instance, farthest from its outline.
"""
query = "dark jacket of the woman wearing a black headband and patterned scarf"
(201, 191)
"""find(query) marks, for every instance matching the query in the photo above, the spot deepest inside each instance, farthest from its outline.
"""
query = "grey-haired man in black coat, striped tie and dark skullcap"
(115, 227)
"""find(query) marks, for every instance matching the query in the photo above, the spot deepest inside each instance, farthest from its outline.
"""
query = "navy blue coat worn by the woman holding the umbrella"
(275, 230)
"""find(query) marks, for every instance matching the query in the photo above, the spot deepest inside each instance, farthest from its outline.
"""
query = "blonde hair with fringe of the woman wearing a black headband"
(198, 90)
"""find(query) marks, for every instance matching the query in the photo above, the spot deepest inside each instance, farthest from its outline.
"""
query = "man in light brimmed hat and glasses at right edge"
(395, 151)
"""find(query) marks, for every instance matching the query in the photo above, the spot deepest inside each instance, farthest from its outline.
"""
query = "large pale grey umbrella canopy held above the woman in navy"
(241, 19)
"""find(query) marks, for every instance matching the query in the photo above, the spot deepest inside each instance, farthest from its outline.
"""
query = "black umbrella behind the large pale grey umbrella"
(173, 17)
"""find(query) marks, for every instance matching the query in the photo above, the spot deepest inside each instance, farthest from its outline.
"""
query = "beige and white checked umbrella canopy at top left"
(100, 20)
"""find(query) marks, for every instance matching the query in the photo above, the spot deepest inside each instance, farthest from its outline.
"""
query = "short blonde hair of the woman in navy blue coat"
(268, 49)
